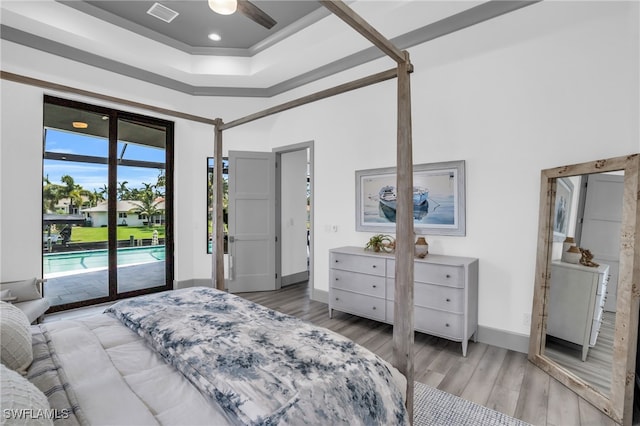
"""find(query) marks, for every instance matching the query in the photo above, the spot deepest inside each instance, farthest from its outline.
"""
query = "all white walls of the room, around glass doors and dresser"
(554, 83)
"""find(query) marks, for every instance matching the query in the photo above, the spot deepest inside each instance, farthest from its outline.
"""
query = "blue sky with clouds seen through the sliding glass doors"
(94, 176)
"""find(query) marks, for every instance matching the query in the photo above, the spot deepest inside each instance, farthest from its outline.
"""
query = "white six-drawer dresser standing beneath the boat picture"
(445, 293)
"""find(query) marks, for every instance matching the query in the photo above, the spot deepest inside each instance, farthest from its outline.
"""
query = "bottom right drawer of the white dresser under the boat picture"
(431, 321)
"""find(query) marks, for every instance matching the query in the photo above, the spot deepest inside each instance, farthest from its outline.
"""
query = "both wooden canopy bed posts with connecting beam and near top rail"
(403, 331)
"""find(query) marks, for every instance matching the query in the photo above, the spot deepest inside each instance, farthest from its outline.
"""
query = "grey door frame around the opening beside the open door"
(278, 152)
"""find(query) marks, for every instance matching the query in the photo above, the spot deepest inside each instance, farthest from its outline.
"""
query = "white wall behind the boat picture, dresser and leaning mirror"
(554, 83)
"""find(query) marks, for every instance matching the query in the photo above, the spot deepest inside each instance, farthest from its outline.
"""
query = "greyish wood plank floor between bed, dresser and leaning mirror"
(497, 378)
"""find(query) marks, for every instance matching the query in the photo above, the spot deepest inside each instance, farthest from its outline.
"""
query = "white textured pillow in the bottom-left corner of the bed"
(22, 402)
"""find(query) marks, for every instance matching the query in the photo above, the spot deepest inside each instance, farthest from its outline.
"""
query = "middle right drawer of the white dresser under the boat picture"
(433, 296)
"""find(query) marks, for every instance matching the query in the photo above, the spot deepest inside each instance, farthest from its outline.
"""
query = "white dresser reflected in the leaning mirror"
(577, 295)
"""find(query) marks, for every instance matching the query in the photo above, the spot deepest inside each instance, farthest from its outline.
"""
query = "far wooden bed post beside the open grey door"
(217, 243)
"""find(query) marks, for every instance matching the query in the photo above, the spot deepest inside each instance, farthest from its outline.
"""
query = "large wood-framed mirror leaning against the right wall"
(584, 324)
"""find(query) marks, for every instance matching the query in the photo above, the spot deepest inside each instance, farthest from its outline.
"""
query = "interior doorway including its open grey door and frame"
(270, 218)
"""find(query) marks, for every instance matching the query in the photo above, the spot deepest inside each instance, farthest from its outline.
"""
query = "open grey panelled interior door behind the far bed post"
(252, 180)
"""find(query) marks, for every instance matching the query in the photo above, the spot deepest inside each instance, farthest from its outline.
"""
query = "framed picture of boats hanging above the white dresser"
(439, 199)
